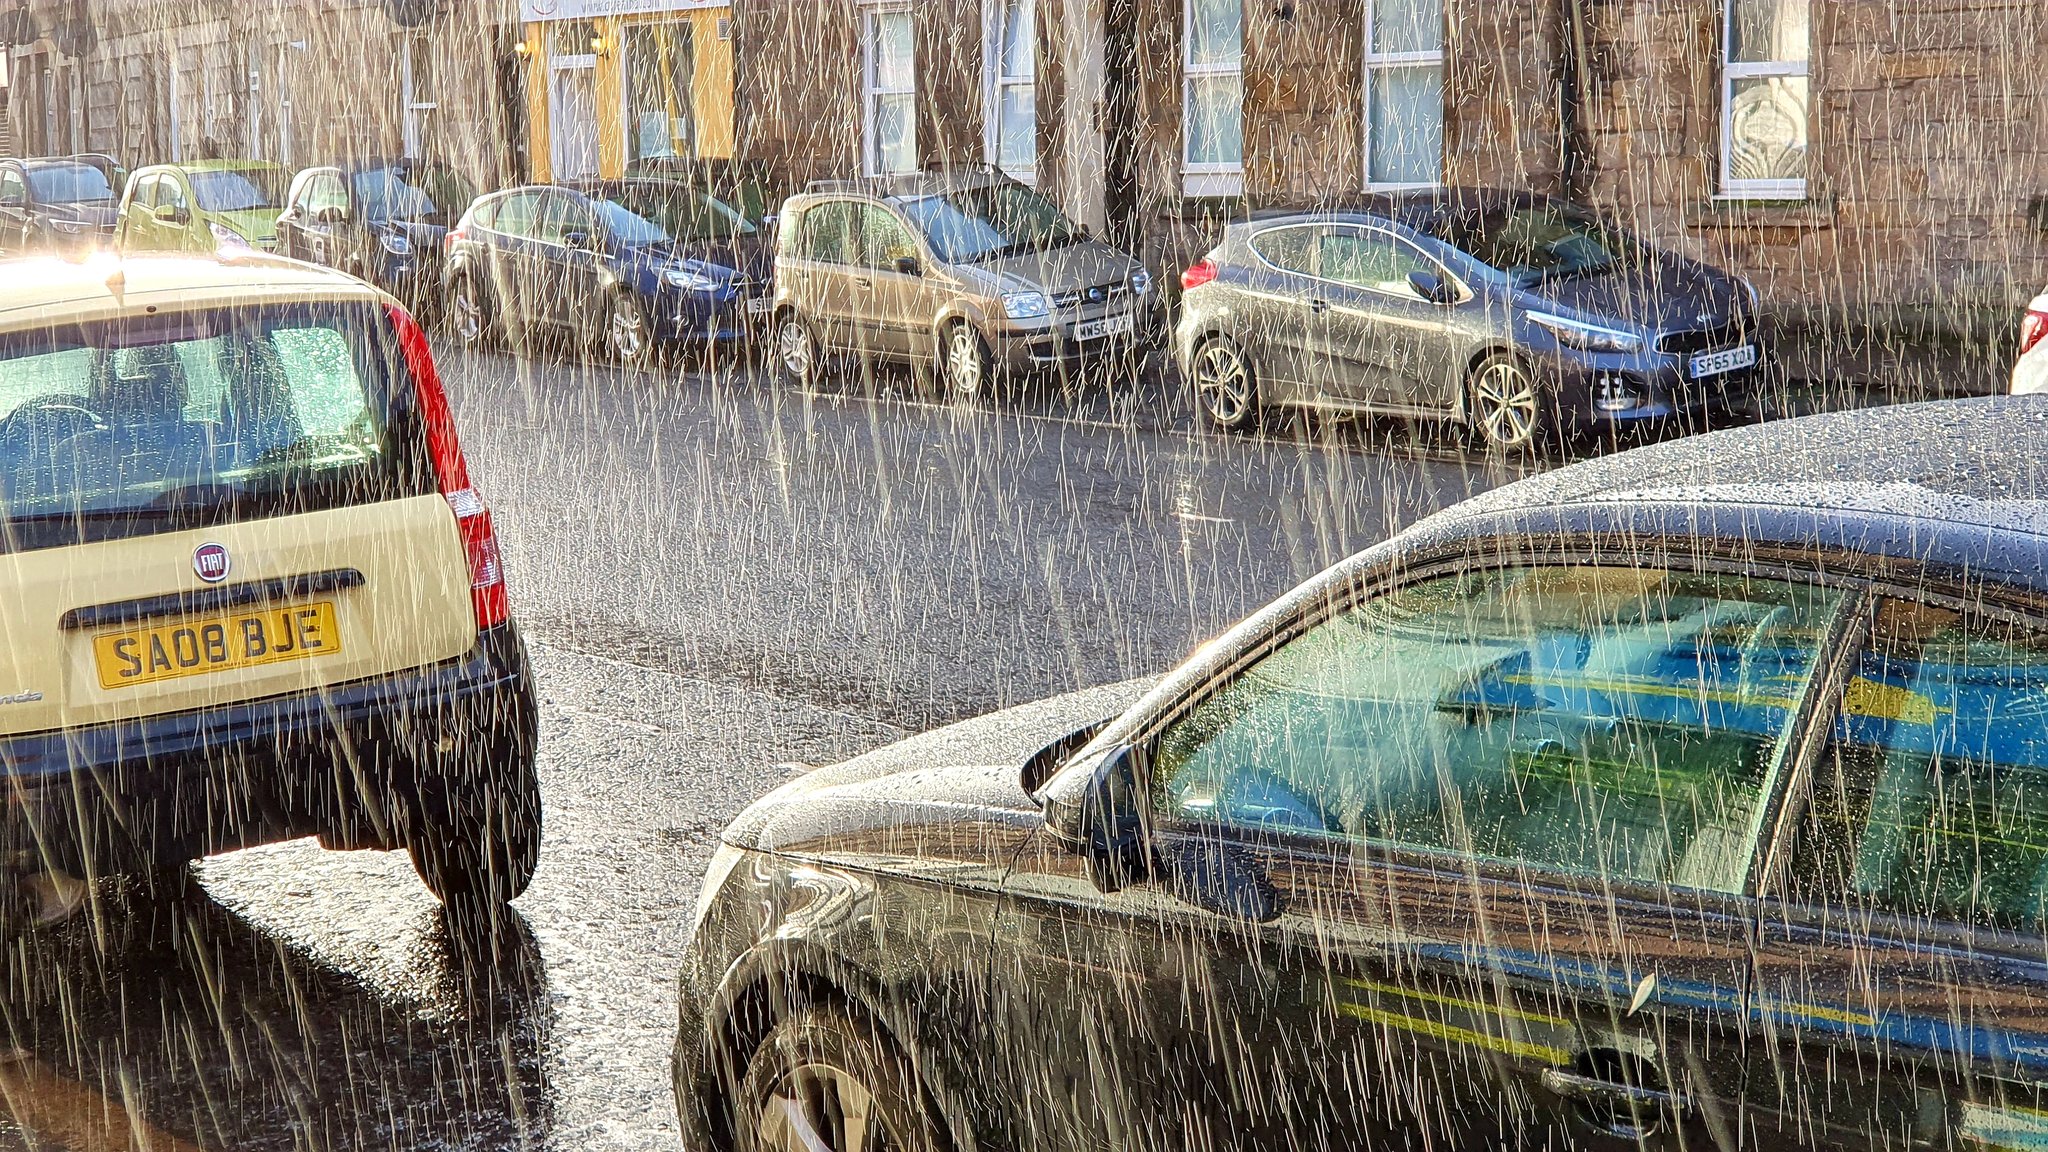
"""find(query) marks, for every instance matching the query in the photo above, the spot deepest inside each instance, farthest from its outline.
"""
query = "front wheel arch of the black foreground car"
(787, 971)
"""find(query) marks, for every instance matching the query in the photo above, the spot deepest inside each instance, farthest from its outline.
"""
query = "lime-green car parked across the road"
(202, 206)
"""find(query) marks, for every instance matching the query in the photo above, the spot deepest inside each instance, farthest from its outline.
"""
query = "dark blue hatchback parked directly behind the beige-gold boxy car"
(622, 265)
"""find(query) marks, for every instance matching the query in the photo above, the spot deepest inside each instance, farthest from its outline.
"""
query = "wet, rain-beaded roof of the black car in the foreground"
(1949, 485)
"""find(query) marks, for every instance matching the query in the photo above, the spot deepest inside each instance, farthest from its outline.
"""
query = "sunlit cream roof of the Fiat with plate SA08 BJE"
(46, 292)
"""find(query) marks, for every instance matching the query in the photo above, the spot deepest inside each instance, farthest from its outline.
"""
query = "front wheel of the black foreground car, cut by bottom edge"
(826, 1079)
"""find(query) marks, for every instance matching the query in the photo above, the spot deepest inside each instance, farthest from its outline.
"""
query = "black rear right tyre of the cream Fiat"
(476, 825)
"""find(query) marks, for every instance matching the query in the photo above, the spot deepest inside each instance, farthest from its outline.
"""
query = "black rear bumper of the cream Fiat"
(175, 788)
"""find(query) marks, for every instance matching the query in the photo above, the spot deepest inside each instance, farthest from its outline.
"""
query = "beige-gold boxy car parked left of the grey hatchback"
(972, 274)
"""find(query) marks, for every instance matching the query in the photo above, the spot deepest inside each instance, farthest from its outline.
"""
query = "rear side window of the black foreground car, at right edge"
(1932, 800)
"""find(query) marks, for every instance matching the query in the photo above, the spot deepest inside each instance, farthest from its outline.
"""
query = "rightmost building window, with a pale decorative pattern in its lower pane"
(1764, 99)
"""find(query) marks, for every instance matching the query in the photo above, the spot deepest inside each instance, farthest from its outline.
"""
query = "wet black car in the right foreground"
(1689, 798)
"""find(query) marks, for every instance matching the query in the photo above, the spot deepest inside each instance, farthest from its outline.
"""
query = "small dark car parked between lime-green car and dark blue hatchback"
(382, 220)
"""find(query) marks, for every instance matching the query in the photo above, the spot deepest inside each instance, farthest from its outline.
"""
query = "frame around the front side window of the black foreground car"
(1781, 790)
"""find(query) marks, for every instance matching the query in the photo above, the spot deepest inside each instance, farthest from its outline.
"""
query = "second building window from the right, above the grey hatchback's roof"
(1404, 93)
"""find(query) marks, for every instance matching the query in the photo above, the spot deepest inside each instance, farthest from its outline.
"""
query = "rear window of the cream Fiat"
(191, 419)
